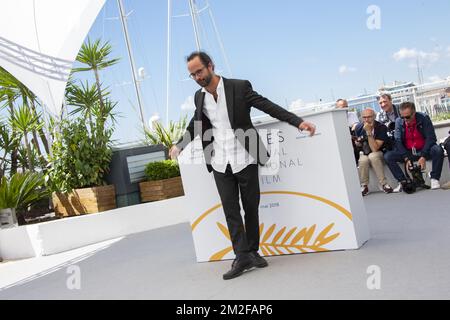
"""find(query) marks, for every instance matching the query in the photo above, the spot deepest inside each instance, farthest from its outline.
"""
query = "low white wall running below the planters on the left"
(70, 233)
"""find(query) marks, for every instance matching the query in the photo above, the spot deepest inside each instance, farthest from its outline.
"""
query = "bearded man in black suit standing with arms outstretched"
(233, 150)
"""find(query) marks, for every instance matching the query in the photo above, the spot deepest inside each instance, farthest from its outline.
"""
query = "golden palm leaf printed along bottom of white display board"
(283, 242)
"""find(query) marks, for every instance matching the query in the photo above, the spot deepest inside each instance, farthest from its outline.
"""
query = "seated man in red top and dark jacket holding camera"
(415, 140)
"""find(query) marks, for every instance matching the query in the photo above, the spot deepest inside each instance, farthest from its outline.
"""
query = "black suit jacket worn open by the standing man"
(240, 98)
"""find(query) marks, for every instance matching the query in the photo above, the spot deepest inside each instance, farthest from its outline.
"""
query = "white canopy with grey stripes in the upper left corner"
(39, 41)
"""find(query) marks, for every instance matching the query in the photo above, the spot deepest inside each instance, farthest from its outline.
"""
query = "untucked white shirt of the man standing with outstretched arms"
(227, 149)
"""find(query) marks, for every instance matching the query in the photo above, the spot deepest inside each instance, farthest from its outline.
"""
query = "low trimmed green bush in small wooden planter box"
(163, 181)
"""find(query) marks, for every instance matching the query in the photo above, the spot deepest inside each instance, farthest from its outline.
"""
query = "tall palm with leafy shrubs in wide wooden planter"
(82, 146)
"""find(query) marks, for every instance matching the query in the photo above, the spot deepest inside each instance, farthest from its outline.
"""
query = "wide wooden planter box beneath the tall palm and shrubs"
(84, 201)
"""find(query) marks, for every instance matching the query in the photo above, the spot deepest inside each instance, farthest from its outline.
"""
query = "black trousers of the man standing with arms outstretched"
(244, 235)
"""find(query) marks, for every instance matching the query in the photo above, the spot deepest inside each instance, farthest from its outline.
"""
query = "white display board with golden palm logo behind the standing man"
(310, 197)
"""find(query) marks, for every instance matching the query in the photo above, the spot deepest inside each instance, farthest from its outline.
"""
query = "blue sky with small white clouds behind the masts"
(290, 50)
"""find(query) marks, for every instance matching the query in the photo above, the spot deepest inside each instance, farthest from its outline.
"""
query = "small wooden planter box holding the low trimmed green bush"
(161, 189)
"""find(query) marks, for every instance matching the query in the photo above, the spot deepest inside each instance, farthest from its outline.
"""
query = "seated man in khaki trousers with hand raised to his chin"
(371, 137)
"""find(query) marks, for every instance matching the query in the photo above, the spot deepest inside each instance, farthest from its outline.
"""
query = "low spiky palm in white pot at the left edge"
(19, 191)
